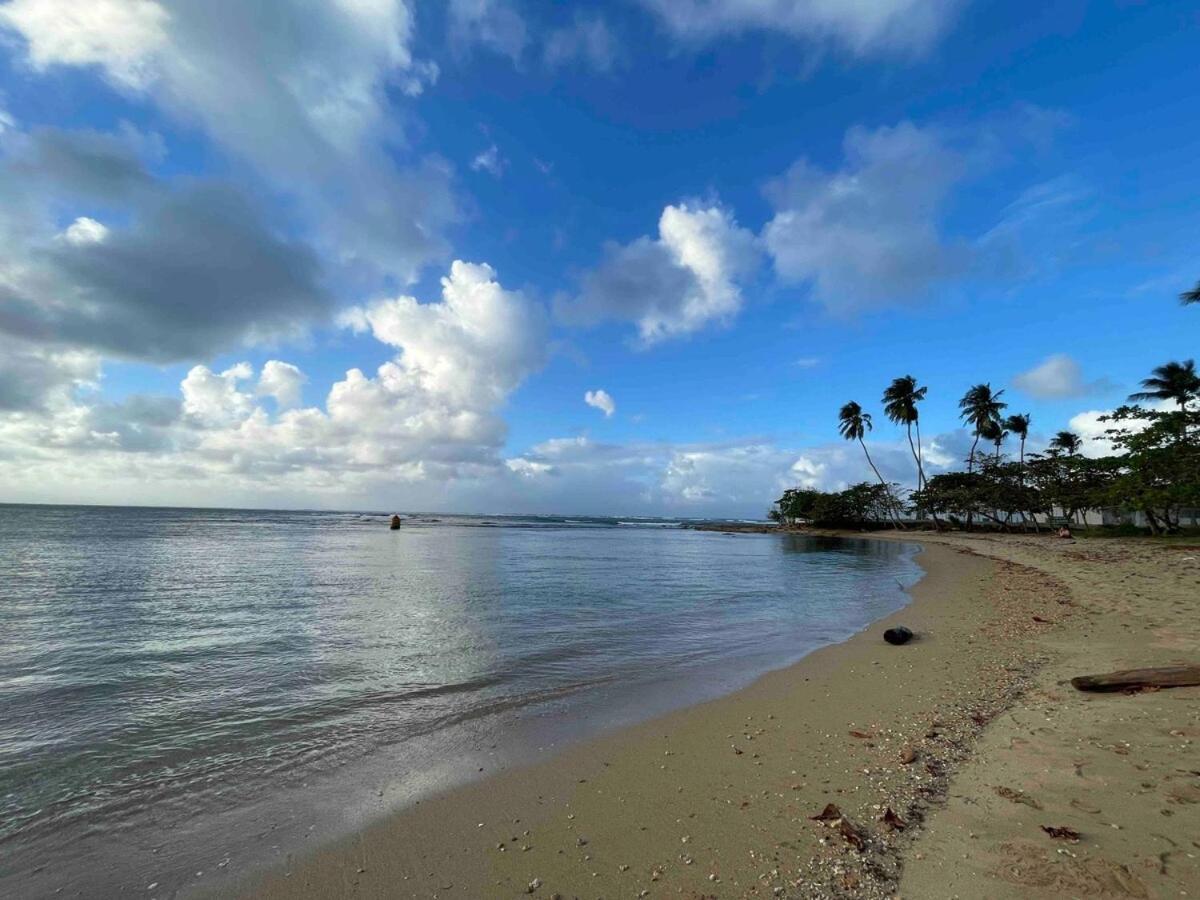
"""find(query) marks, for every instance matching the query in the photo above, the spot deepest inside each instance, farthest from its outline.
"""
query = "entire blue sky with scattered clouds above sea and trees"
(608, 259)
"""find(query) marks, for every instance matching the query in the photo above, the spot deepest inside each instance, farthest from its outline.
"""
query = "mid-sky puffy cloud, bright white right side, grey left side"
(675, 285)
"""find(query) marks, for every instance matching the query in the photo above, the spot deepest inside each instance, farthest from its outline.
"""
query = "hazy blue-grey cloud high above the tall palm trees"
(869, 233)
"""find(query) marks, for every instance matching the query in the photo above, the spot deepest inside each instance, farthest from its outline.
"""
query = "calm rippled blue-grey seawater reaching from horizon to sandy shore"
(190, 692)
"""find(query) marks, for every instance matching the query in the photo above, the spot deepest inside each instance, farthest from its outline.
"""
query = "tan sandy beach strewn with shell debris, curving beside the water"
(969, 736)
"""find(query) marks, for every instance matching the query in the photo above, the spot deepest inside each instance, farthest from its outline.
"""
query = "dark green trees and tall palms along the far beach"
(1154, 469)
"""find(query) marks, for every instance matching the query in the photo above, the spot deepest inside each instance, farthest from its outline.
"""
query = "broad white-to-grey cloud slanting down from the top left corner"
(296, 89)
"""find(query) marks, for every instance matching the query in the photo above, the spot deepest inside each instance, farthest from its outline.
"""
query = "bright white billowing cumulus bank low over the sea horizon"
(424, 422)
